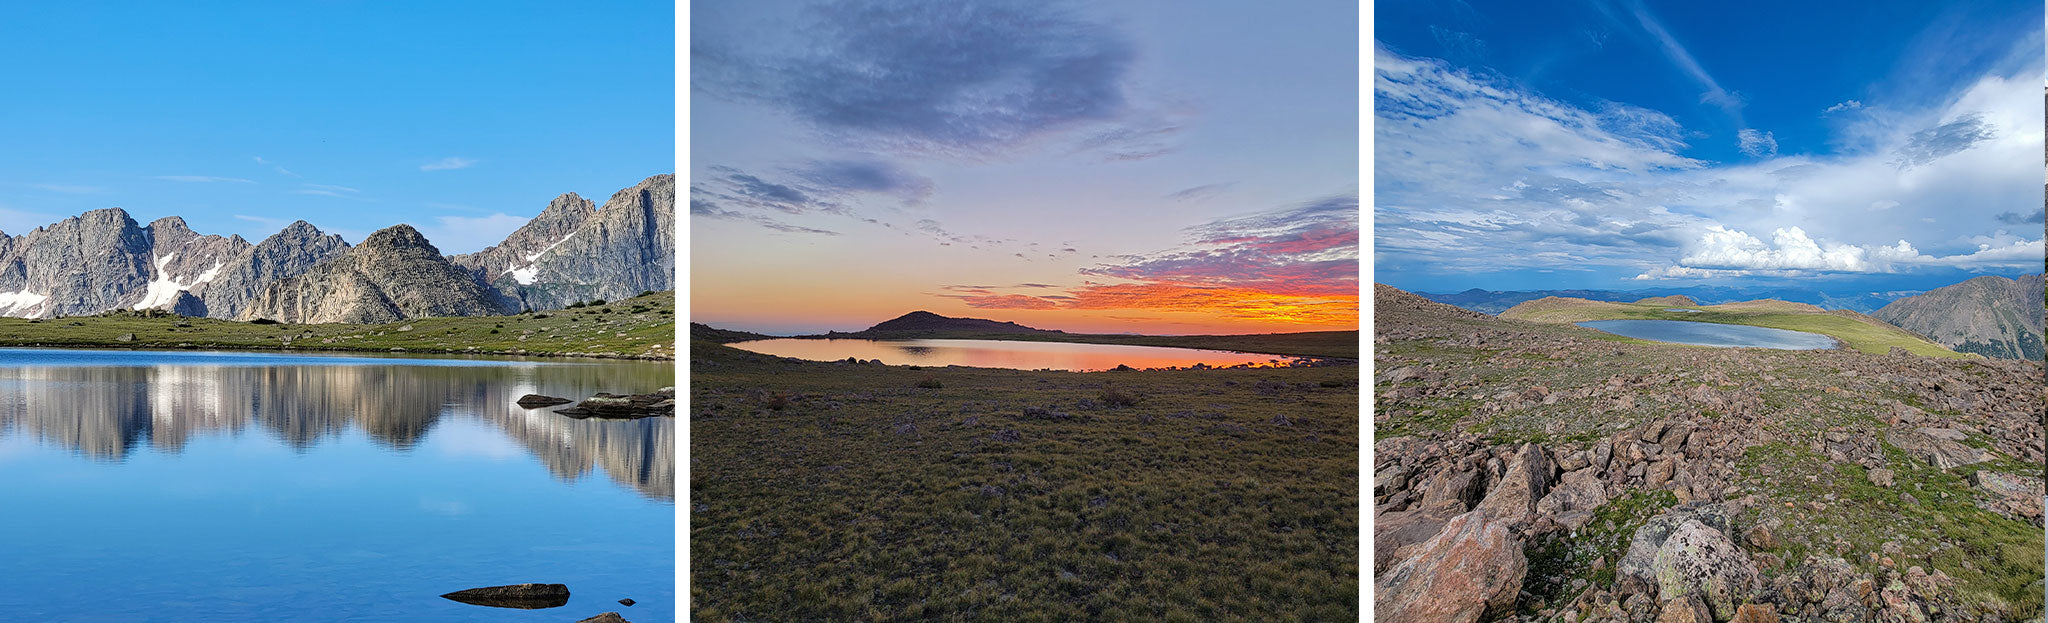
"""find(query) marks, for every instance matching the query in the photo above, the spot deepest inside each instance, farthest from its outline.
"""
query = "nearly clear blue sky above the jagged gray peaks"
(462, 120)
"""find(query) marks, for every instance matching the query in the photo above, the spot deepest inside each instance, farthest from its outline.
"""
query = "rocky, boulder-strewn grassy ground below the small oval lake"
(1547, 472)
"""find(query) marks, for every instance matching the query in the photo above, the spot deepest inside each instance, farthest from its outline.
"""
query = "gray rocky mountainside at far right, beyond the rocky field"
(1990, 317)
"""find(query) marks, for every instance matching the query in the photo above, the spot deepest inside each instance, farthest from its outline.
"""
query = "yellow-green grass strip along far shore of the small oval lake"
(1854, 331)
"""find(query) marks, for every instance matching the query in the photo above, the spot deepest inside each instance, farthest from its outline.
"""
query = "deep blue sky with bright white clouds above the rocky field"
(1650, 144)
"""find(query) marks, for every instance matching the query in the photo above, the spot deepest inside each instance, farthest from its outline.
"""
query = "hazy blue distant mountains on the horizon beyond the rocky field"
(1496, 302)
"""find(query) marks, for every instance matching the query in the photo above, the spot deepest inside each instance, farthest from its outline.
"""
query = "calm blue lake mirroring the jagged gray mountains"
(234, 487)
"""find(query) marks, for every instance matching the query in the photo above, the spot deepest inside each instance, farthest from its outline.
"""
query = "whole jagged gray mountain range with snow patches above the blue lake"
(103, 261)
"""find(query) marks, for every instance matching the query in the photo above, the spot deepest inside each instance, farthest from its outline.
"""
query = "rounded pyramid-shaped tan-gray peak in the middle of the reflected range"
(392, 276)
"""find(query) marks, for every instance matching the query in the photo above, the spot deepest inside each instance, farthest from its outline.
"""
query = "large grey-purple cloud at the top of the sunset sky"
(935, 75)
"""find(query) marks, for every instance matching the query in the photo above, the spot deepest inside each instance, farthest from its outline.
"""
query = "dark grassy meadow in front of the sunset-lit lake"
(871, 493)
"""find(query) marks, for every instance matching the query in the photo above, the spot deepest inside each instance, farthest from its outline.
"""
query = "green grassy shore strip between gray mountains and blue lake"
(642, 327)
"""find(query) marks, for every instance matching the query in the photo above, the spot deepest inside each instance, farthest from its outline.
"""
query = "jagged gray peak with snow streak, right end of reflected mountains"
(624, 249)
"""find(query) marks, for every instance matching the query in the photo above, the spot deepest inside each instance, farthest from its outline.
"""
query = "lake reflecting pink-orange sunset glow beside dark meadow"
(1002, 354)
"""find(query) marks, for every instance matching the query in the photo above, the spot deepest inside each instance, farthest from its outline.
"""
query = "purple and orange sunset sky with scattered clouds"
(1146, 167)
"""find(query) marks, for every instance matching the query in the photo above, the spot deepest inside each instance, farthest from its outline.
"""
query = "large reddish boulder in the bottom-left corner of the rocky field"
(1467, 573)
